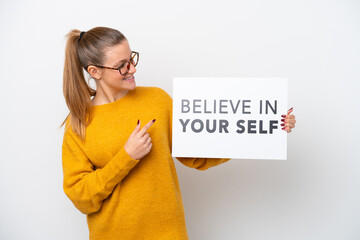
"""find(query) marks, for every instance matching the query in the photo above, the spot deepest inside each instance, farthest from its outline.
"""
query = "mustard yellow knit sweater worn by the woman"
(125, 198)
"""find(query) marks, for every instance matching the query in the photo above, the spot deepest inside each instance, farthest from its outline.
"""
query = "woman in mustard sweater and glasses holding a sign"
(126, 185)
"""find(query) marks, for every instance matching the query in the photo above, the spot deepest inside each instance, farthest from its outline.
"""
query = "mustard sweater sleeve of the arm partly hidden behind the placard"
(196, 163)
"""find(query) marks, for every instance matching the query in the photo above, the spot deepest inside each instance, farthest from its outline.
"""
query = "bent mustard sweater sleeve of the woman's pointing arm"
(87, 188)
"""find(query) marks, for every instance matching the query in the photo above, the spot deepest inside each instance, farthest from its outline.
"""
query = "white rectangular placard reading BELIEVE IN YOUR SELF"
(229, 118)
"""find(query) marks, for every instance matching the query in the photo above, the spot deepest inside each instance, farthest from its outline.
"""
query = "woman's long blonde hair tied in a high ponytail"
(90, 50)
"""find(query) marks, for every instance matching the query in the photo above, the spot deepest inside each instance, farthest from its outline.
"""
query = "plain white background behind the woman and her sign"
(313, 195)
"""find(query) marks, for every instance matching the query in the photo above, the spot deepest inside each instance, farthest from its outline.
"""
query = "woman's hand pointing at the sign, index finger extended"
(139, 143)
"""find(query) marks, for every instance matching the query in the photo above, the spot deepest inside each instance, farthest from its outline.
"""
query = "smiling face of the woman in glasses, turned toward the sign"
(117, 56)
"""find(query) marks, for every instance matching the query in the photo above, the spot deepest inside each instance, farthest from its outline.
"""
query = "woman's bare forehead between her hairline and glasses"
(118, 52)
